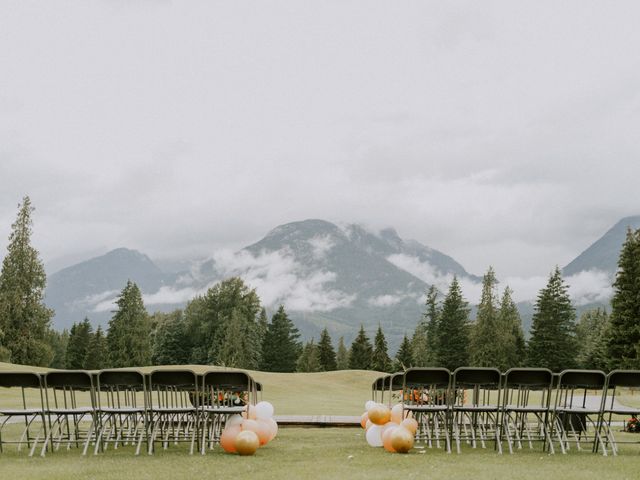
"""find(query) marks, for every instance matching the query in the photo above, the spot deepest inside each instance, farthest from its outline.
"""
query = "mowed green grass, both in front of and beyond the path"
(316, 453)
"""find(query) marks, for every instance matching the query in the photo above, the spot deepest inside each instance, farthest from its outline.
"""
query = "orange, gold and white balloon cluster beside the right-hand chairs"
(386, 428)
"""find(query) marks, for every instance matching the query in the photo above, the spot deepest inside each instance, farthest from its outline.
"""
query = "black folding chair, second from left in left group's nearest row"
(70, 405)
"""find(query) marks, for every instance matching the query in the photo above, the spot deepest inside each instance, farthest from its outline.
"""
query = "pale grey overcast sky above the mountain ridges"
(503, 133)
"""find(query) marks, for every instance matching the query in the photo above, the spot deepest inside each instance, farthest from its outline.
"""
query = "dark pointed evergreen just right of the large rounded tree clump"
(281, 347)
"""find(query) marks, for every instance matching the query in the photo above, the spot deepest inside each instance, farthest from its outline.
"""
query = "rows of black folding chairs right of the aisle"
(521, 407)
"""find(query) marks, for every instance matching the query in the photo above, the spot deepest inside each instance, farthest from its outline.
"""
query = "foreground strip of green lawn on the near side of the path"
(323, 453)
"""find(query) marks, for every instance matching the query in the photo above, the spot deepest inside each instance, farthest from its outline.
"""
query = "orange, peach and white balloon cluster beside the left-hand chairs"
(243, 434)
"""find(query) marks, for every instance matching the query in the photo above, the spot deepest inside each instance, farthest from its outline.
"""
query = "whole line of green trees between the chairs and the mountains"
(228, 326)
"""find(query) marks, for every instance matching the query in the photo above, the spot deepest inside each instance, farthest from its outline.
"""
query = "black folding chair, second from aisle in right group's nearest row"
(476, 406)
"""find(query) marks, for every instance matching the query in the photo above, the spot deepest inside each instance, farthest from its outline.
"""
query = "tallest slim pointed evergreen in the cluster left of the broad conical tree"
(487, 343)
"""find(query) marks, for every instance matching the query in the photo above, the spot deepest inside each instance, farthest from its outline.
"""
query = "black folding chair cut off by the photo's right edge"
(617, 380)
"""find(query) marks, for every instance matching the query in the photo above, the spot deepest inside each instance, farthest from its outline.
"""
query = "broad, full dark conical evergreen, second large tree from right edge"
(552, 343)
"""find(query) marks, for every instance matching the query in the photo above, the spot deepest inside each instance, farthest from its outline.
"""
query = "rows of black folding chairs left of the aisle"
(123, 407)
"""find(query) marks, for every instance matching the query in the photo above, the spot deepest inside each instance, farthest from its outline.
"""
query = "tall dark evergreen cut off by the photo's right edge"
(624, 339)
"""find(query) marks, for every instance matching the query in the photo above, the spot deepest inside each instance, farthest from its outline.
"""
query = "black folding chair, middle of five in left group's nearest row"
(121, 409)
